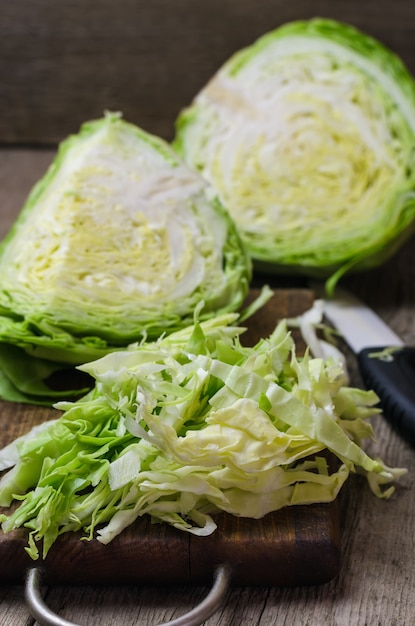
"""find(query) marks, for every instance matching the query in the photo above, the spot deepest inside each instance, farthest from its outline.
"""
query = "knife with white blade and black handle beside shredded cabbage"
(387, 365)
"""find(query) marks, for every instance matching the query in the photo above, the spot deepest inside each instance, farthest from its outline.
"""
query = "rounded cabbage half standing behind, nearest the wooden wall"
(308, 136)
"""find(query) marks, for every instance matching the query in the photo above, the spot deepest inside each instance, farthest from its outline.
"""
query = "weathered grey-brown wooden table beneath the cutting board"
(377, 576)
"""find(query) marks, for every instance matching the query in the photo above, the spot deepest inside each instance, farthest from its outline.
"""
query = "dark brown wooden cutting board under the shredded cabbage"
(294, 546)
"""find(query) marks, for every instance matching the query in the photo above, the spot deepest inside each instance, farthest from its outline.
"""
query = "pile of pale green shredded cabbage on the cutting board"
(187, 426)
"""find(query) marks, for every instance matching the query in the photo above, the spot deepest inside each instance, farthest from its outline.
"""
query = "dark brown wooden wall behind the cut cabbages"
(63, 63)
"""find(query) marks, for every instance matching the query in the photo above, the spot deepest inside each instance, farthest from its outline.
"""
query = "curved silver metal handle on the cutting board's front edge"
(211, 603)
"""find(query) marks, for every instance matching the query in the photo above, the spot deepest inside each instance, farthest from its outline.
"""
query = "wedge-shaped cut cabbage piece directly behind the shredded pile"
(119, 240)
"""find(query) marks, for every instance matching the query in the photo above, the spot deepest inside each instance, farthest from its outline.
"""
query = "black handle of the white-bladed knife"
(392, 377)
